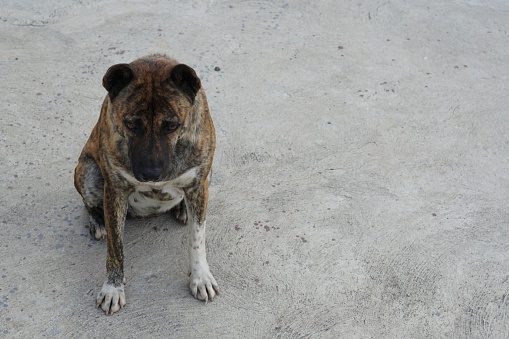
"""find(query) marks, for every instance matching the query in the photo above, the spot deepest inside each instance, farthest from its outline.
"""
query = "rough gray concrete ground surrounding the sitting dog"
(360, 184)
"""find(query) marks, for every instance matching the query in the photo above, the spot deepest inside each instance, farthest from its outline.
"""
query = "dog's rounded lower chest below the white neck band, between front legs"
(145, 200)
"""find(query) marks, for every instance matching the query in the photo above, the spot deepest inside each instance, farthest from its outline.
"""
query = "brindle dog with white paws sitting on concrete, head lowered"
(150, 153)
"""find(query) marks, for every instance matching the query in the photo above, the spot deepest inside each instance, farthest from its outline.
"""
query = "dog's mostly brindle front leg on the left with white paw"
(112, 296)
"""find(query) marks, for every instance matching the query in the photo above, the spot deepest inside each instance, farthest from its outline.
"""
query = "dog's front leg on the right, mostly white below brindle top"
(203, 285)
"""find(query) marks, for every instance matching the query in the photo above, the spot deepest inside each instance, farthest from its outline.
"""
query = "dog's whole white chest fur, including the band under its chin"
(151, 198)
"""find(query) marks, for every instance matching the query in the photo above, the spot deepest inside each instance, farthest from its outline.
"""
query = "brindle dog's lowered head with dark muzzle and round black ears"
(152, 100)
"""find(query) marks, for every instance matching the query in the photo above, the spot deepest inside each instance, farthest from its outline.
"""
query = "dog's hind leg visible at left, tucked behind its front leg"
(89, 182)
